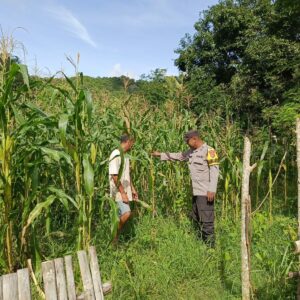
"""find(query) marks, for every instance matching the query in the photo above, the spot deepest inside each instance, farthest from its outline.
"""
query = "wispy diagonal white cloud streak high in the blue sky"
(71, 23)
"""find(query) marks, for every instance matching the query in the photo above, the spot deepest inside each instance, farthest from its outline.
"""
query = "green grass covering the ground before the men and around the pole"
(161, 258)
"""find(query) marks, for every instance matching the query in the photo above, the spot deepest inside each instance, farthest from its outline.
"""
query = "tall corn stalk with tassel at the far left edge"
(14, 82)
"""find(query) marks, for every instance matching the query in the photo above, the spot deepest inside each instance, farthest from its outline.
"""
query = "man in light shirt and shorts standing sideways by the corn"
(121, 187)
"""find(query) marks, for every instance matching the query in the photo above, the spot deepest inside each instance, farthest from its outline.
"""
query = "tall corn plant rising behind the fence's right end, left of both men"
(77, 141)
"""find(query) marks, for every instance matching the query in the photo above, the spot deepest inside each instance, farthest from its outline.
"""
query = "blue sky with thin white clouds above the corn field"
(113, 37)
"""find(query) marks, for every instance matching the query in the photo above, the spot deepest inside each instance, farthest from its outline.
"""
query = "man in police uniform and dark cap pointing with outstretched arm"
(204, 170)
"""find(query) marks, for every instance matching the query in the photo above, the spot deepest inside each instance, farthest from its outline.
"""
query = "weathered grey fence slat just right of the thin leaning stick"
(48, 270)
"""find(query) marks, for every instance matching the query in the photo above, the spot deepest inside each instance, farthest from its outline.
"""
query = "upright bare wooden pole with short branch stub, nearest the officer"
(245, 221)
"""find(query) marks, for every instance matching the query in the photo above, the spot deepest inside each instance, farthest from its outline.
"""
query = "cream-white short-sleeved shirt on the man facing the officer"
(114, 169)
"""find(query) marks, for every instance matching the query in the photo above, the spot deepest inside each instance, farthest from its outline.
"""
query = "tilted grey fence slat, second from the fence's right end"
(86, 275)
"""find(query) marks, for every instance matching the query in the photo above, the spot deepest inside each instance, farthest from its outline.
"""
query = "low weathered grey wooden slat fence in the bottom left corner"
(58, 280)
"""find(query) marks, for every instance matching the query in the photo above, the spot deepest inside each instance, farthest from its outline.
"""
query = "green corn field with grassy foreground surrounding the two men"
(56, 137)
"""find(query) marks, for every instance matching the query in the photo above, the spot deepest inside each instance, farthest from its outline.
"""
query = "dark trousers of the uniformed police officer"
(203, 214)
